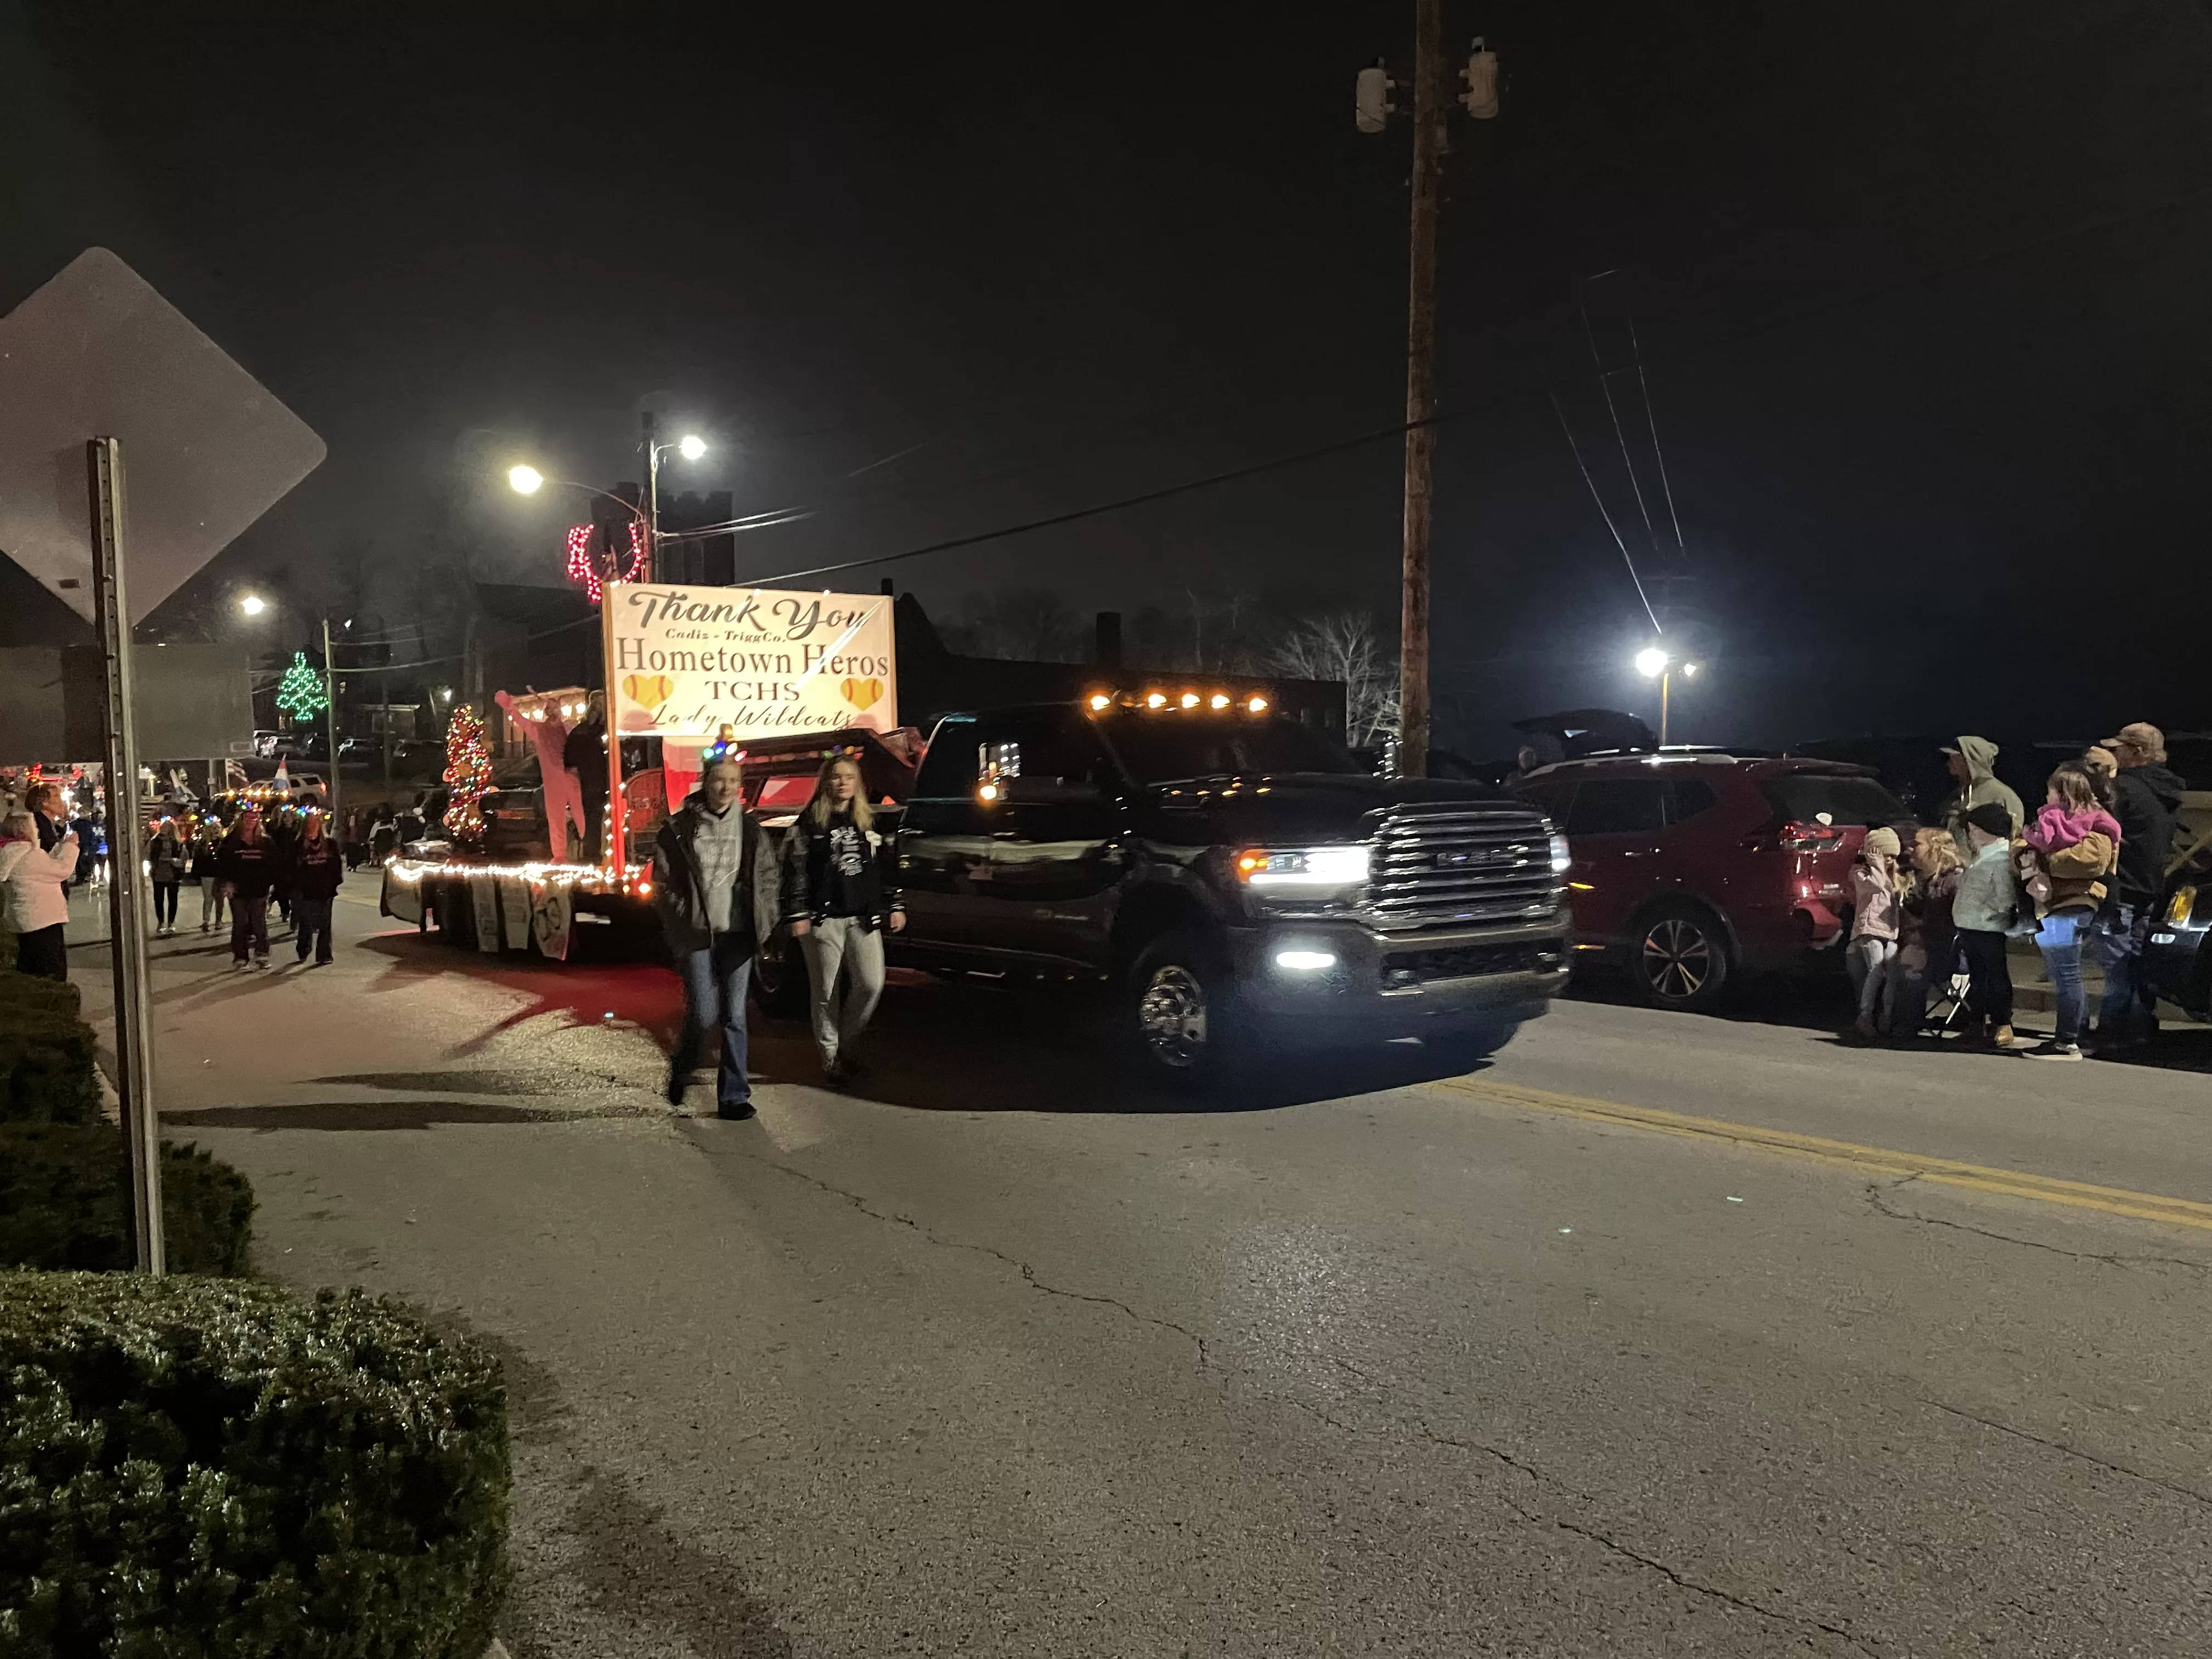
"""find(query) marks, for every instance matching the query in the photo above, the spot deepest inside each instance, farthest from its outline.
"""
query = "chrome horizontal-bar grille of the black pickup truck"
(1457, 866)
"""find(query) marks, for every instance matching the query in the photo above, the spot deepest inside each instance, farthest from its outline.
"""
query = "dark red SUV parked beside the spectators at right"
(1689, 868)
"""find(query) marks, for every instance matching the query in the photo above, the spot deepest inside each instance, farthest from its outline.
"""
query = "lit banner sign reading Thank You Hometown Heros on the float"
(687, 662)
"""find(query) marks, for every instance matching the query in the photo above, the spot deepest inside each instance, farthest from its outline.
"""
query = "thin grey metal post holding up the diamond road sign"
(127, 877)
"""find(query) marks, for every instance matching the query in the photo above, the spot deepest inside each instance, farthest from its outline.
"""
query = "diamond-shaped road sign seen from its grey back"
(207, 448)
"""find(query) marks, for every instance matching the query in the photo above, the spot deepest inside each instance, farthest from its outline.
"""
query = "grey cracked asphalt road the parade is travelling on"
(1658, 1337)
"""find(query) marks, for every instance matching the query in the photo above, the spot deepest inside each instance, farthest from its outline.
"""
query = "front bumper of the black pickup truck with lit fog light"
(1333, 979)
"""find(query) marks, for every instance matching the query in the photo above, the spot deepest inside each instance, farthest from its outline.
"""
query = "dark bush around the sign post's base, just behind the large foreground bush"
(65, 1204)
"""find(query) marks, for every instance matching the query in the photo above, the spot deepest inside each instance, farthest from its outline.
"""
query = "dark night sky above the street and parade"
(1921, 295)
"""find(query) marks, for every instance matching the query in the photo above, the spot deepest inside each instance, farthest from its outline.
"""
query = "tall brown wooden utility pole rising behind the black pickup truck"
(1430, 145)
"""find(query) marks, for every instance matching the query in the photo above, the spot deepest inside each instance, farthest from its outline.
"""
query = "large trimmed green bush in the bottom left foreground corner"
(205, 1470)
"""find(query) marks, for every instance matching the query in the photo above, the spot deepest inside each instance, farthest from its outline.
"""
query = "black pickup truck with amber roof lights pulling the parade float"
(1235, 877)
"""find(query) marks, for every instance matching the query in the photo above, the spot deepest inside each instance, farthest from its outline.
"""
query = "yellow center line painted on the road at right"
(1881, 1160)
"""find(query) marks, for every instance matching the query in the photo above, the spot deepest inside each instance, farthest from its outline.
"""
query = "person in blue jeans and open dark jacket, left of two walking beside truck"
(716, 910)
